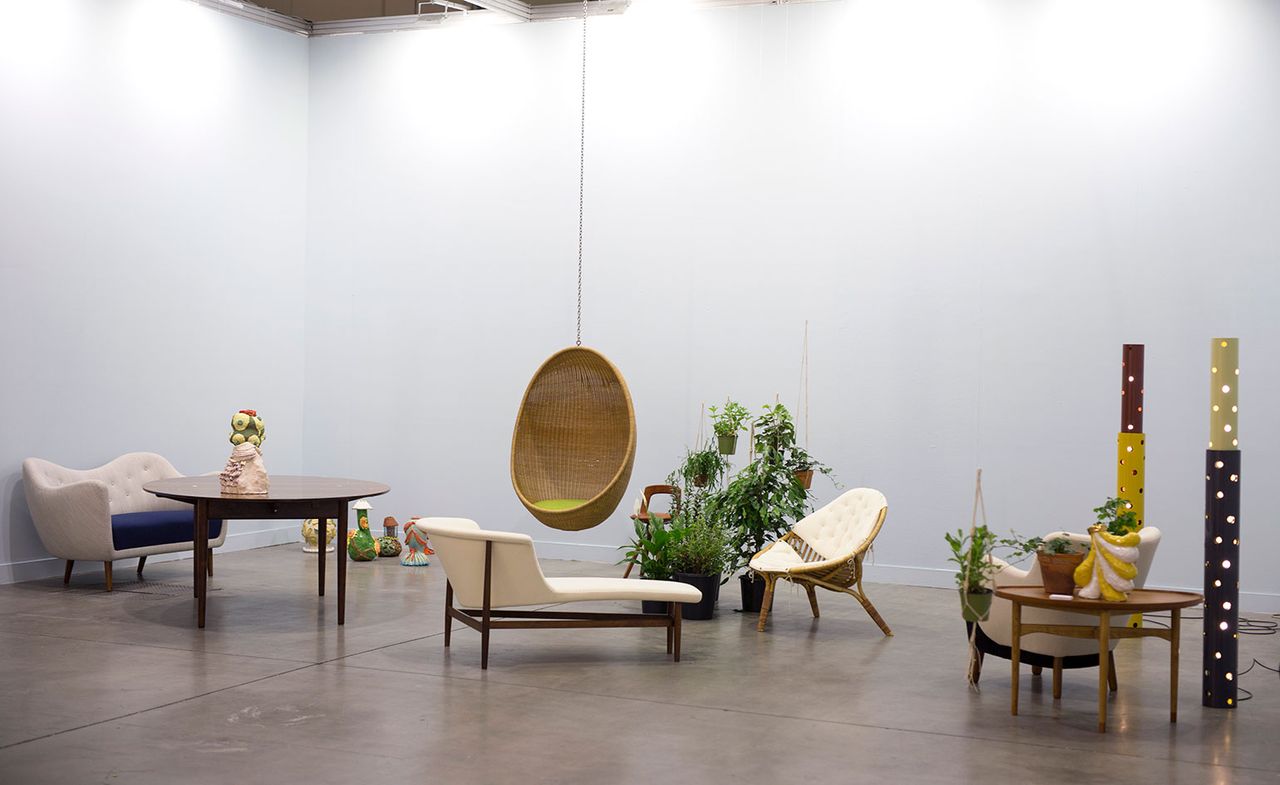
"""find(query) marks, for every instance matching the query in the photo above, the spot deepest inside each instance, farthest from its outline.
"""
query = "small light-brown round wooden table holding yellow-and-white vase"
(1141, 601)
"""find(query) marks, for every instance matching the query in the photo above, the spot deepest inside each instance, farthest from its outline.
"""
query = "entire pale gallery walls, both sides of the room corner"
(373, 241)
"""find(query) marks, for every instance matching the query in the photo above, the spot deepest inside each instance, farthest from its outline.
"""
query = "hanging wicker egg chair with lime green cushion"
(575, 441)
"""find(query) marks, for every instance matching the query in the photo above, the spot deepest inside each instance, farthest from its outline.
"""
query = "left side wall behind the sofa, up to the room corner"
(153, 188)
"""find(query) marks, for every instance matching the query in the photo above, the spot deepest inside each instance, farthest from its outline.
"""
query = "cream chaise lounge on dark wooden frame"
(492, 572)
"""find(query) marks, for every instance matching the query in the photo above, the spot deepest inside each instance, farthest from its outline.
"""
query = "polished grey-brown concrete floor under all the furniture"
(122, 688)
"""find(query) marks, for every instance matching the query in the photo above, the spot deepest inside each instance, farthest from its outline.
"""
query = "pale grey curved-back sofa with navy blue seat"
(74, 509)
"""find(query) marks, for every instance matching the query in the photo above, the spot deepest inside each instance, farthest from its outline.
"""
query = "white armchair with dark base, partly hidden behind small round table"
(995, 635)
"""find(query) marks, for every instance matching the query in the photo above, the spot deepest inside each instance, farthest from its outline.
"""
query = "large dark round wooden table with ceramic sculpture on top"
(290, 498)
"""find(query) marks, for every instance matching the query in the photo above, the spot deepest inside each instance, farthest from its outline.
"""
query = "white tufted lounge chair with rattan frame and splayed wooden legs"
(826, 550)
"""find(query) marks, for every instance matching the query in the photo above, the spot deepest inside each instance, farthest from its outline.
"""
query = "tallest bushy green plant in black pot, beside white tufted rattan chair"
(762, 501)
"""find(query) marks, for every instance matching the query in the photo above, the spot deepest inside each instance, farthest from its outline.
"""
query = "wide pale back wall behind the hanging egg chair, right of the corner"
(973, 204)
